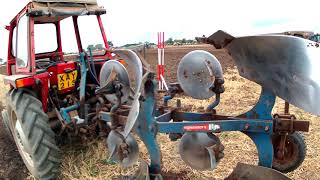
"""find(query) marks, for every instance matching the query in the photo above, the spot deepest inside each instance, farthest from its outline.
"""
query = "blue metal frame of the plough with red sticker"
(256, 123)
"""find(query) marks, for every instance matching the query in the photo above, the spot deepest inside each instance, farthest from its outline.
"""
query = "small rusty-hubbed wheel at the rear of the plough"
(293, 155)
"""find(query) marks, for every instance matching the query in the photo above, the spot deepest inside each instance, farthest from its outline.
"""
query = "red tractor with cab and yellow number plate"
(53, 94)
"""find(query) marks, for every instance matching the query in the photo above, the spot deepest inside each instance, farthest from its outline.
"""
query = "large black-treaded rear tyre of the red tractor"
(32, 135)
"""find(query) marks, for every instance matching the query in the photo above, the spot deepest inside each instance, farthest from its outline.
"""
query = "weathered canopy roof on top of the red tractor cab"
(55, 10)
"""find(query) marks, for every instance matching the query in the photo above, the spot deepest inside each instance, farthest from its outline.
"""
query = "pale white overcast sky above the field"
(139, 20)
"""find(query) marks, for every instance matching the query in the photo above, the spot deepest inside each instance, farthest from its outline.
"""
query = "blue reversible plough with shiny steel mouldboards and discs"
(282, 65)
